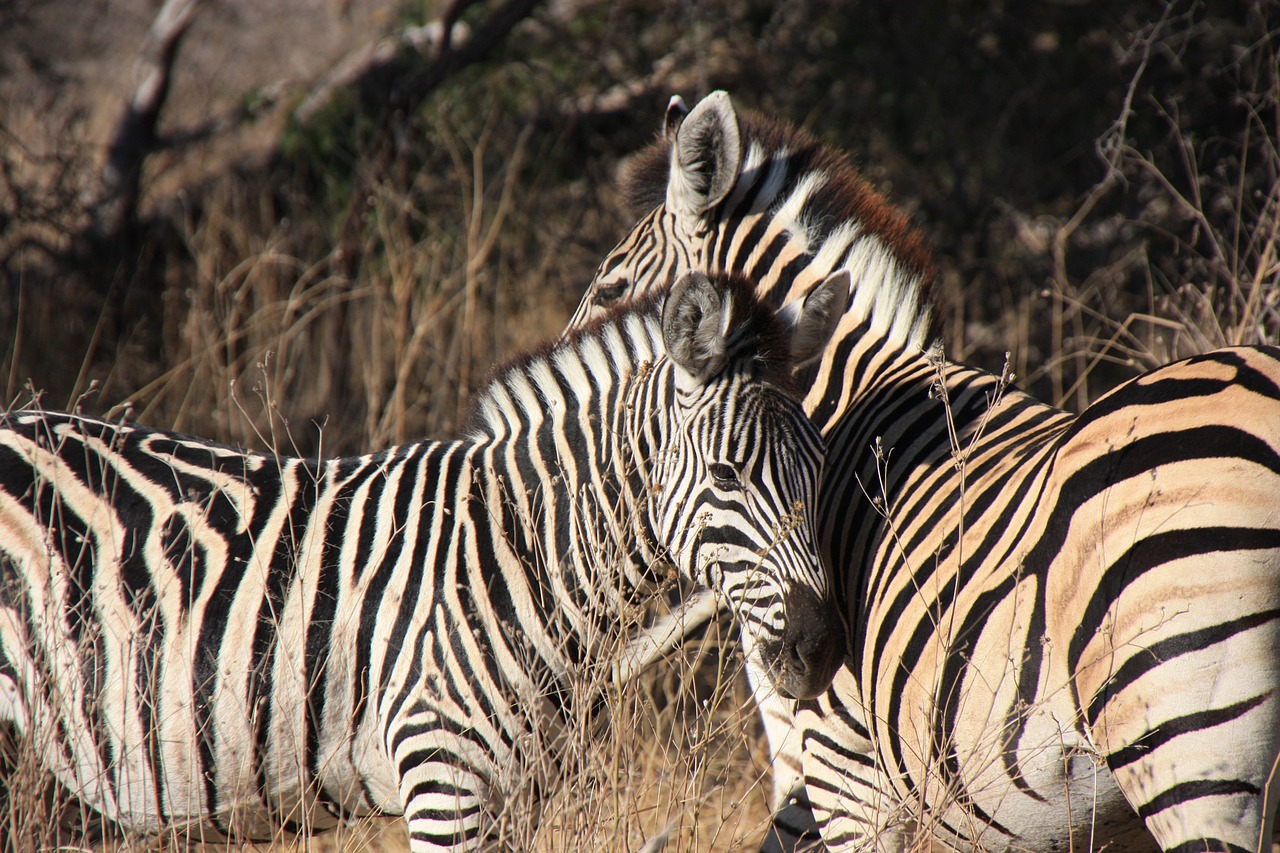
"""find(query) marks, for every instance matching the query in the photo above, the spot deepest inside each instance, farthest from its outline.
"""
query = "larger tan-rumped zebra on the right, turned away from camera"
(1064, 632)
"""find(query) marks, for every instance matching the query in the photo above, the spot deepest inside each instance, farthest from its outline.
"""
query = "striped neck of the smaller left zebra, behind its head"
(565, 471)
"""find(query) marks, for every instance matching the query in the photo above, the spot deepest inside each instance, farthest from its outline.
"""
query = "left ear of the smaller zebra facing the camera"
(696, 321)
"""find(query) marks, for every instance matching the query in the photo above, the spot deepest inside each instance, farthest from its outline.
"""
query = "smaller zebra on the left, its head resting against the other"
(194, 635)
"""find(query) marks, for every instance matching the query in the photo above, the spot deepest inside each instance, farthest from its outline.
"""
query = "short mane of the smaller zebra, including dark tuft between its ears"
(760, 345)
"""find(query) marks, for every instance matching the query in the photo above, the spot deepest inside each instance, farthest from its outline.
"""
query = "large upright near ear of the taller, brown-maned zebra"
(706, 156)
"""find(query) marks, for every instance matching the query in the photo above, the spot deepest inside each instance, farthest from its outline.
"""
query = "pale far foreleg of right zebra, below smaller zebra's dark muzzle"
(793, 827)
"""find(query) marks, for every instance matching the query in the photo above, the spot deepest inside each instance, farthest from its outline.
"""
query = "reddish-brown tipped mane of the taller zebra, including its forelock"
(895, 293)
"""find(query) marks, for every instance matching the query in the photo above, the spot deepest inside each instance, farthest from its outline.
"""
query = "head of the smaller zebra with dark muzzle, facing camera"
(733, 482)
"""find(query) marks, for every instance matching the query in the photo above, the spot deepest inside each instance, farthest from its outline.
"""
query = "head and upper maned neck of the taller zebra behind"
(744, 194)
